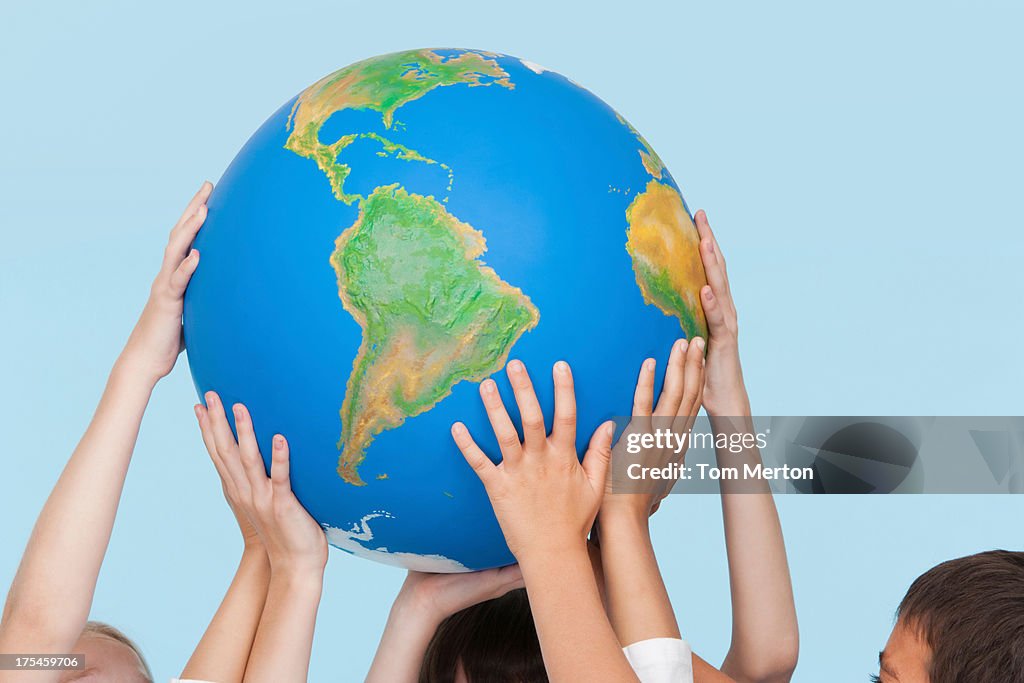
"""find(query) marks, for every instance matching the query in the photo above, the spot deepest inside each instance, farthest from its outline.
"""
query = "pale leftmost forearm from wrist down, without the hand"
(52, 594)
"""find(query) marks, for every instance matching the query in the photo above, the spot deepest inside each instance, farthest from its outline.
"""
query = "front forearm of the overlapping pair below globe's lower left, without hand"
(284, 642)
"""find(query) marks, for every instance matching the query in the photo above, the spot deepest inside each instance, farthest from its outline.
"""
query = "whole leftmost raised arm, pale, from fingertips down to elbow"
(51, 597)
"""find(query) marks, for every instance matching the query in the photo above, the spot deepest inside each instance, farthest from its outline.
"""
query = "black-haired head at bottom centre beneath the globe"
(493, 643)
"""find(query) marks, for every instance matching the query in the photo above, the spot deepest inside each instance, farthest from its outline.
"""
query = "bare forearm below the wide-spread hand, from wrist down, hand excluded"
(577, 642)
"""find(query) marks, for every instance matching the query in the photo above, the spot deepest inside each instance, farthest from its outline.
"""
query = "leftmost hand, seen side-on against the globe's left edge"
(156, 341)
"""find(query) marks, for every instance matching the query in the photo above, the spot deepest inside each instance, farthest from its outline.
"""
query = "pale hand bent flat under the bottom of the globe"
(438, 596)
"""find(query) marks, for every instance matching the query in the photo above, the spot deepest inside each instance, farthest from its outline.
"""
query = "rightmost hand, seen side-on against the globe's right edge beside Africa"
(726, 395)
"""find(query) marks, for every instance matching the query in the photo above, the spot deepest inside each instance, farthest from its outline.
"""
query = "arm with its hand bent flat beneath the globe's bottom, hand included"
(424, 602)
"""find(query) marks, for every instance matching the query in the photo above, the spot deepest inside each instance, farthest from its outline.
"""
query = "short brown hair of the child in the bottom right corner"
(971, 614)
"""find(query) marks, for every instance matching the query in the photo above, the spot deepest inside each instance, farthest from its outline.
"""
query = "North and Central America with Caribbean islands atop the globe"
(381, 84)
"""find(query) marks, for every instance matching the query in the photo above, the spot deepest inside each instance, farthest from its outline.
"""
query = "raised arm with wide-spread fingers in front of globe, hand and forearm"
(546, 503)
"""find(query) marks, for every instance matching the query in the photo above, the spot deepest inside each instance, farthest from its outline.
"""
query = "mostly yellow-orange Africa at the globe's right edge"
(665, 247)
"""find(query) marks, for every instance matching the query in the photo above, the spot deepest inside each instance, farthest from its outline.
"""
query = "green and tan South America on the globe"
(433, 314)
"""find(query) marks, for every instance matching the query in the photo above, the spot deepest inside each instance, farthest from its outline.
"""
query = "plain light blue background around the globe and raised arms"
(861, 163)
